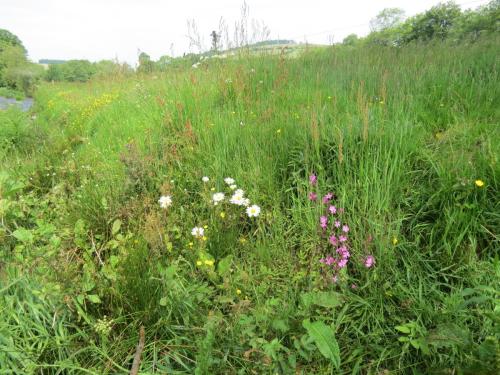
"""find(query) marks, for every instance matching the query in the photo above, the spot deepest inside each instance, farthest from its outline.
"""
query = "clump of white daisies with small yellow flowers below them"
(229, 209)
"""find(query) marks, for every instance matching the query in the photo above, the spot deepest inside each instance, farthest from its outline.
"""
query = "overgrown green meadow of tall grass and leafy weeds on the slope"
(406, 139)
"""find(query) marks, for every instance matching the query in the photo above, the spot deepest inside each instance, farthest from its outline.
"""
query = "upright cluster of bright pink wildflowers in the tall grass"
(334, 235)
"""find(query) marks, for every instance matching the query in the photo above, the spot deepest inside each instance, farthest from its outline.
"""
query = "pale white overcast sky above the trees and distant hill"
(121, 29)
